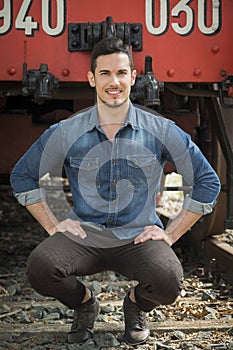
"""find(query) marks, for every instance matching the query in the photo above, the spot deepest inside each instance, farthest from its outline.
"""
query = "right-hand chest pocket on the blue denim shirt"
(143, 170)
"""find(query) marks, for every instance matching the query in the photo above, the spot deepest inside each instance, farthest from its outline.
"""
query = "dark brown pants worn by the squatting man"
(55, 264)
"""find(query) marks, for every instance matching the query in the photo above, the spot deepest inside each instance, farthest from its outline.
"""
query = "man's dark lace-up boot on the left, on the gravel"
(83, 322)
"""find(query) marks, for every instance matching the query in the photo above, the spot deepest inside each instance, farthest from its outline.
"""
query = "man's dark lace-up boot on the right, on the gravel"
(136, 327)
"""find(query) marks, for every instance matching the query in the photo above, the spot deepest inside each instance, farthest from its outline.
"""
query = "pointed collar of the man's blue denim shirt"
(131, 118)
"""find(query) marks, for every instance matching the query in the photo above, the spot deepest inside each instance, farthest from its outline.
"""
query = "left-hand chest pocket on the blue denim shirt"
(86, 170)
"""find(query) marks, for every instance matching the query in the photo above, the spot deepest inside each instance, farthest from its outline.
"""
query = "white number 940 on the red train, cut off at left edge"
(26, 22)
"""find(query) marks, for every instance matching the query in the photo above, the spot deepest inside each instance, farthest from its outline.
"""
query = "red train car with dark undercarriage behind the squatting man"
(183, 54)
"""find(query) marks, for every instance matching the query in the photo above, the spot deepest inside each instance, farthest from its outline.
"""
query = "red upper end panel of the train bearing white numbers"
(190, 41)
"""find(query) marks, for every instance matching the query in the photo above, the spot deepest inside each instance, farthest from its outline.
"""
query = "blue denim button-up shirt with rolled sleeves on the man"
(114, 183)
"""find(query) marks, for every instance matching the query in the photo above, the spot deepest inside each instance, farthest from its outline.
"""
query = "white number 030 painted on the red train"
(183, 8)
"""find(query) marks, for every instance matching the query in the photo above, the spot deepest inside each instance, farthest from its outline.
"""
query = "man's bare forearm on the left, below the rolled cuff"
(42, 213)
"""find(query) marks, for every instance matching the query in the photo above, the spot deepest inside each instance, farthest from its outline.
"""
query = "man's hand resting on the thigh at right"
(155, 233)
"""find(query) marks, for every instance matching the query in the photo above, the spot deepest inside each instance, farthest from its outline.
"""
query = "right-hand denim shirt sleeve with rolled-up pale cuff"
(195, 170)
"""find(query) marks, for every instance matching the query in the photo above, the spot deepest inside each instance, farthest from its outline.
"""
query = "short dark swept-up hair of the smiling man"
(109, 46)
